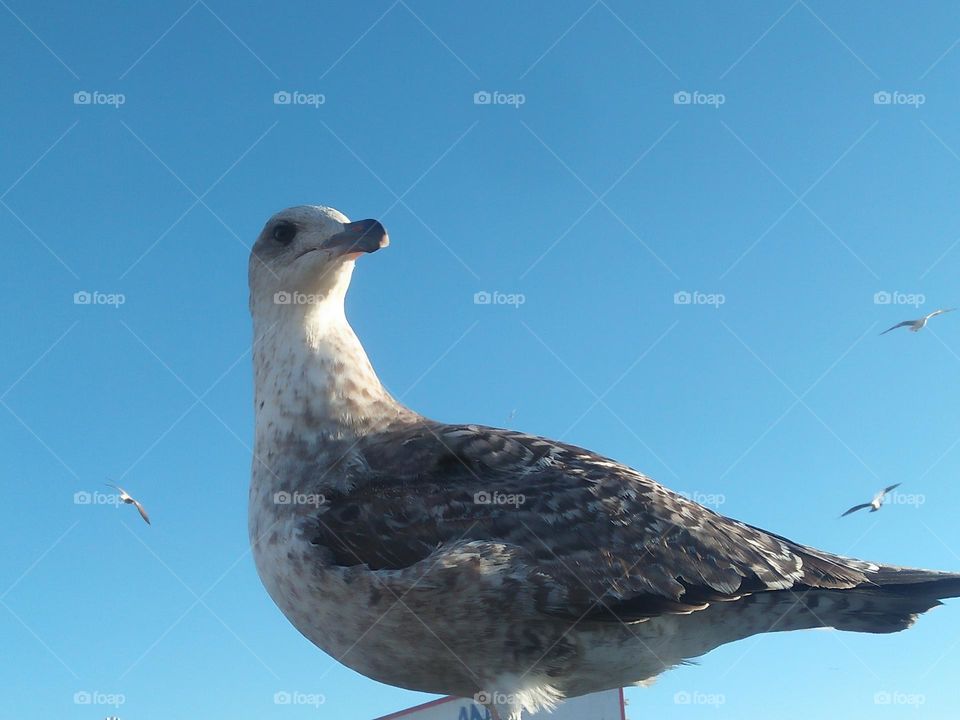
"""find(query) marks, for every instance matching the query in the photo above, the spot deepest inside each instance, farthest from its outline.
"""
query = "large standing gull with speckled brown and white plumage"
(465, 560)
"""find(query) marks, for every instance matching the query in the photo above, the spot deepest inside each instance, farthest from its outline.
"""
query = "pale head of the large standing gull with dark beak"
(305, 254)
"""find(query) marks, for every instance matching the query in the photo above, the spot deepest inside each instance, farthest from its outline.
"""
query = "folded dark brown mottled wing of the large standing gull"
(587, 536)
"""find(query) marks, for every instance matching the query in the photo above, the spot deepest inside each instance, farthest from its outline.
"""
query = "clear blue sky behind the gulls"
(782, 198)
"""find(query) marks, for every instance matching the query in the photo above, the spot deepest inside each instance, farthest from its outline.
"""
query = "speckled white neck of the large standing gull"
(312, 373)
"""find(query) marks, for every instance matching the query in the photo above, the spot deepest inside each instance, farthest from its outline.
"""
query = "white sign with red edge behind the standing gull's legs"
(607, 705)
